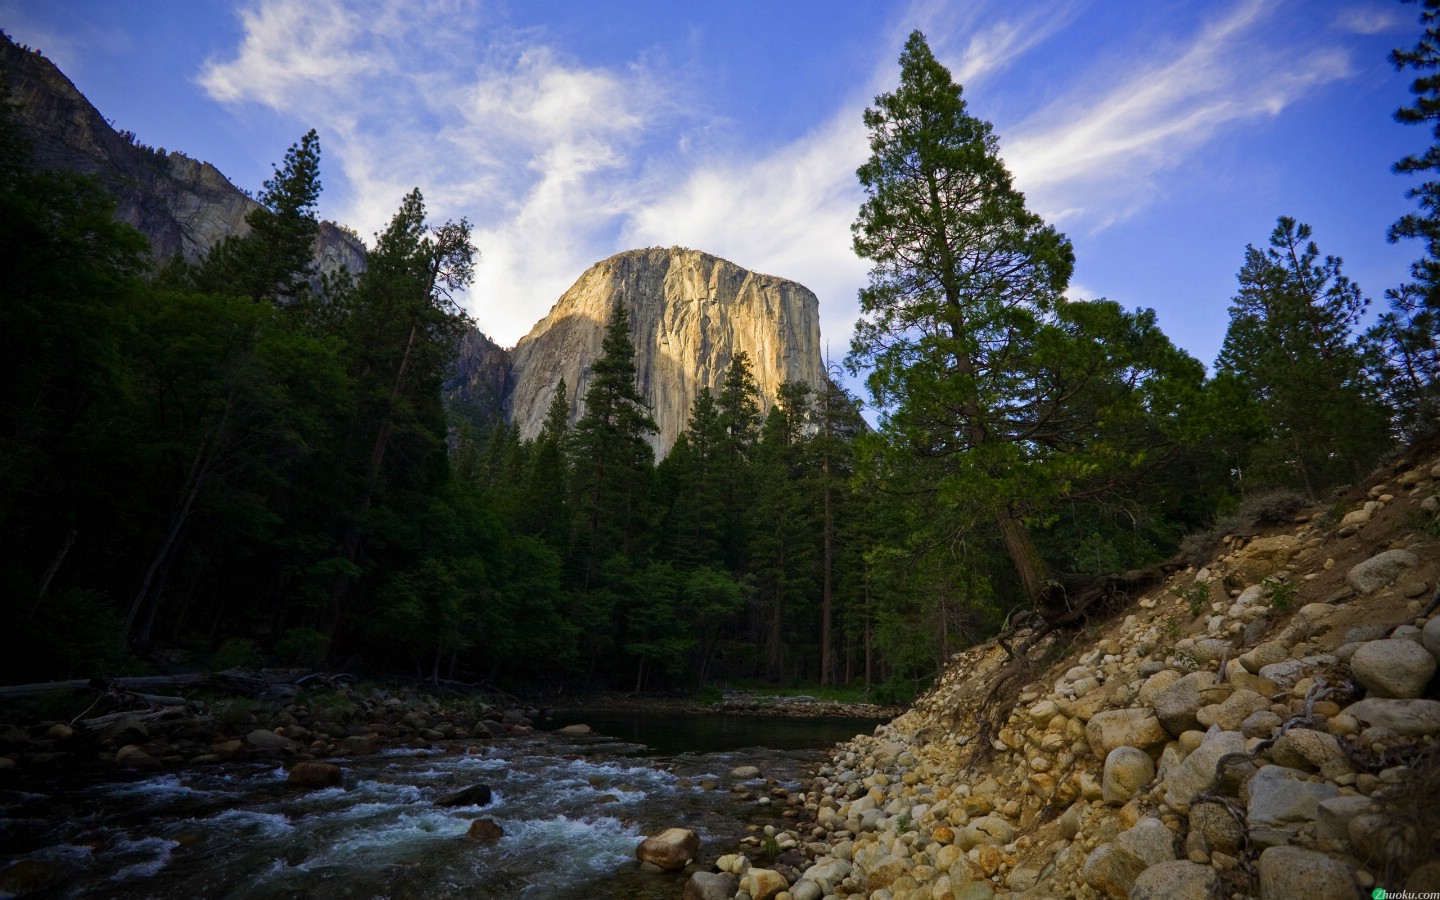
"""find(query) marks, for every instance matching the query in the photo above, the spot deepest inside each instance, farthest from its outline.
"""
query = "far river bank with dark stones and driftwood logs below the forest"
(322, 718)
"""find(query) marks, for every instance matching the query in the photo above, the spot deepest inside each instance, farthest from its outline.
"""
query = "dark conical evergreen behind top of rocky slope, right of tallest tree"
(1290, 345)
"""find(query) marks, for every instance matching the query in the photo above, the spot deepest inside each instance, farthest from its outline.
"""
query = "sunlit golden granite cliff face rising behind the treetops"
(690, 313)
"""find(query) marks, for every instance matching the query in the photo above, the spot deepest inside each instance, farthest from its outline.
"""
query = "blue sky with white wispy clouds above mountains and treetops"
(1163, 138)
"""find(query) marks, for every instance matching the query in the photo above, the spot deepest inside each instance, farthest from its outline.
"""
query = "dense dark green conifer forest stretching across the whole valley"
(244, 462)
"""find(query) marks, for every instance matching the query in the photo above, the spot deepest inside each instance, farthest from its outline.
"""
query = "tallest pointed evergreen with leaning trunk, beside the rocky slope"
(963, 279)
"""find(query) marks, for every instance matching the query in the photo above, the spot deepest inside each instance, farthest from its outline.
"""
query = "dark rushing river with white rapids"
(572, 809)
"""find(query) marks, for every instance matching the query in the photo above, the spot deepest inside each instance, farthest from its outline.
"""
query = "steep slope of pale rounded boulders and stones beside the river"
(1265, 726)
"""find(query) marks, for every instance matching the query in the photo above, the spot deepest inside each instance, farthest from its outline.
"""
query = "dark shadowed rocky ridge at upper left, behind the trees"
(182, 205)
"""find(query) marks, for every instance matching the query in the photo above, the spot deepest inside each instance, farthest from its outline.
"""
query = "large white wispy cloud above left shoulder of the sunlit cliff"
(493, 123)
